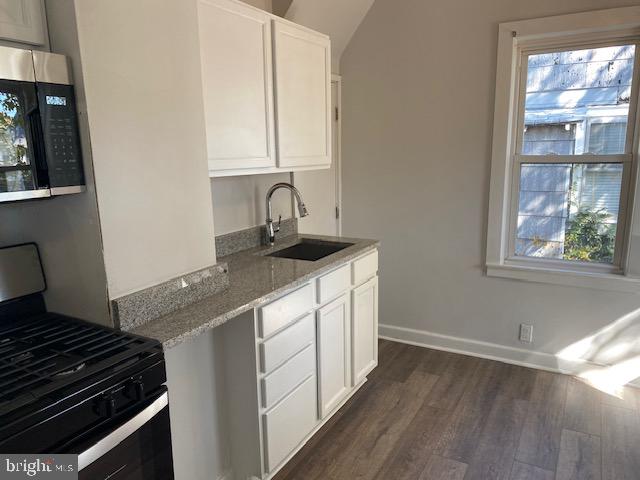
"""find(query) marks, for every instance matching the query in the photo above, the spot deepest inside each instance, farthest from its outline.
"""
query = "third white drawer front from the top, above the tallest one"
(280, 382)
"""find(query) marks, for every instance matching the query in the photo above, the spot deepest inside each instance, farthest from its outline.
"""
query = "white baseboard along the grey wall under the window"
(492, 351)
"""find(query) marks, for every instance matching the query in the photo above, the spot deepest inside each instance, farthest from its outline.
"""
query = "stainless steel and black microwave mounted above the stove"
(39, 138)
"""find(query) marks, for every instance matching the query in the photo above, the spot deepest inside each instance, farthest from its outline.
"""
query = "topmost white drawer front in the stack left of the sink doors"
(285, 310)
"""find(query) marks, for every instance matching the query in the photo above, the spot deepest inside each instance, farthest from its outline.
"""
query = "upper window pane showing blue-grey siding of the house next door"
(574, 91)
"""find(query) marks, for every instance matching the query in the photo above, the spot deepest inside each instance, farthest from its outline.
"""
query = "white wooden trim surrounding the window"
(513, 37)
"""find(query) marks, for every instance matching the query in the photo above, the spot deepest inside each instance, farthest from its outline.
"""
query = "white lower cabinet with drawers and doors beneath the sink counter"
(293, 362)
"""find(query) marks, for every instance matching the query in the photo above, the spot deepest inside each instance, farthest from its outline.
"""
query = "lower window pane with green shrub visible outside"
(568, 211)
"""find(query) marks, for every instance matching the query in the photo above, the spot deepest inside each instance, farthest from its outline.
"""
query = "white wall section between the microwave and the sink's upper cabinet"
(141, 72)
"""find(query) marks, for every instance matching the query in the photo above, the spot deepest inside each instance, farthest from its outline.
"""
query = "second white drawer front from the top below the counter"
(285, 344)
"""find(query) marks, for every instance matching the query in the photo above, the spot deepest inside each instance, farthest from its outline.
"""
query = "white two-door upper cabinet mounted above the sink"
(267, 91)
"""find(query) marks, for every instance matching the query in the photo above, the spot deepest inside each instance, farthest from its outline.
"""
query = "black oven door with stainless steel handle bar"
(138, 449)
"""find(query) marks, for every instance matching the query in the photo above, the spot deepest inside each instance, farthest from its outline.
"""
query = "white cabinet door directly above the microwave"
(22, 21)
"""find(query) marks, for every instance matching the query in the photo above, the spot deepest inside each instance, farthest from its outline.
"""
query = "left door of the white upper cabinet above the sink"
(237, 80)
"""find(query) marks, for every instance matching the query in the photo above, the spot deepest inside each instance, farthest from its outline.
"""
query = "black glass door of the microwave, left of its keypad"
(22, 167)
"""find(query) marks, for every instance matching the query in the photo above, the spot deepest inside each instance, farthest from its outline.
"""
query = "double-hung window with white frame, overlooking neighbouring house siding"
(564, 146)
